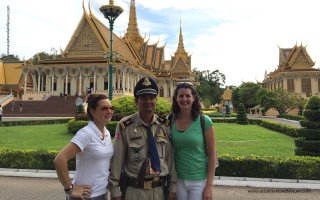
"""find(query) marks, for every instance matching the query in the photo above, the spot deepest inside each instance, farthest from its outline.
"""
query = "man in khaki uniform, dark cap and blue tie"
(142, 150)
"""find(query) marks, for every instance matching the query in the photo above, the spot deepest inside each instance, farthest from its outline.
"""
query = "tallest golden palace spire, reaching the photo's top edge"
(133, 31)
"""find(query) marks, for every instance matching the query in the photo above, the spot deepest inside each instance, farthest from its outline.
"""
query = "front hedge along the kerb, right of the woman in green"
(269, 167)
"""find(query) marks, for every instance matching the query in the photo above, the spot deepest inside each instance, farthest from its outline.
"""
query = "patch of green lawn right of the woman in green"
(237, 139)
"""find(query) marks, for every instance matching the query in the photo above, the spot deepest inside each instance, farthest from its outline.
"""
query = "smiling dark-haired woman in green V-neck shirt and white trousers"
(194, 152)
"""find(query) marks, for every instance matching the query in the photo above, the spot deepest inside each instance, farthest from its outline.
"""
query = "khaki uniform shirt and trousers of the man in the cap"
(130, 151)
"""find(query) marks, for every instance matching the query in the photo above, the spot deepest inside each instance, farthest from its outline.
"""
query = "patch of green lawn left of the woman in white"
(38, 137)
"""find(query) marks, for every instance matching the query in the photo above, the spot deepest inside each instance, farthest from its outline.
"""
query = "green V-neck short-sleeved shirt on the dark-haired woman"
(190, 156)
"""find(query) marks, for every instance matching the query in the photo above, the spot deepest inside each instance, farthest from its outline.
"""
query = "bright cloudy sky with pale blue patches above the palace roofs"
(240, 38)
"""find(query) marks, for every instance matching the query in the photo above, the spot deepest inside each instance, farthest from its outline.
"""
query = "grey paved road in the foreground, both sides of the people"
(16, 188)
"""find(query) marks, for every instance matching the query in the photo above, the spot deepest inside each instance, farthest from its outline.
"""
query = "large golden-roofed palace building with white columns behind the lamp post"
(84, 63)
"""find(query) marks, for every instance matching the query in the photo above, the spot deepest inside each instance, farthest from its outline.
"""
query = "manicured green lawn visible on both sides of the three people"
(231, 139)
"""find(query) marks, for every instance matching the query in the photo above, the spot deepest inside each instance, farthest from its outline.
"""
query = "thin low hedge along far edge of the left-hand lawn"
(33, 122)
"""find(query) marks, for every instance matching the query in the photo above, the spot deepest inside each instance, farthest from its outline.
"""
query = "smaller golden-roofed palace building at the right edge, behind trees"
(295, 73)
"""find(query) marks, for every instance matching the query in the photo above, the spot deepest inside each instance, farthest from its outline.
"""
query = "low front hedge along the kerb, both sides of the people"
(239, 166)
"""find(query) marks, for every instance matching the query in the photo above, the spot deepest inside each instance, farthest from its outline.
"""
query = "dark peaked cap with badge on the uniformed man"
(146, 85)
